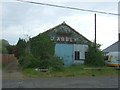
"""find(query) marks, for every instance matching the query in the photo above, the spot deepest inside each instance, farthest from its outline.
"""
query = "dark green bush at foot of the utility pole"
(94, 56)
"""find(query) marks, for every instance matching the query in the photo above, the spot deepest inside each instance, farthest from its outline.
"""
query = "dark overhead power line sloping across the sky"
(73, 8)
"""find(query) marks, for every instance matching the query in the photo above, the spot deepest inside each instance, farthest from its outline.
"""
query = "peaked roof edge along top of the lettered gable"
(63, 25)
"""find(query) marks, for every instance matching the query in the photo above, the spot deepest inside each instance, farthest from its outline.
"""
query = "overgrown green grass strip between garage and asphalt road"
(73, 71)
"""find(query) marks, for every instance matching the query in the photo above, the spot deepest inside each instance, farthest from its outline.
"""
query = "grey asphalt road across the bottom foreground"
(79, 82)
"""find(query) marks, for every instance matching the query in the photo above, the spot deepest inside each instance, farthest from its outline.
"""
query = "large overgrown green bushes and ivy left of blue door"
(41, 53)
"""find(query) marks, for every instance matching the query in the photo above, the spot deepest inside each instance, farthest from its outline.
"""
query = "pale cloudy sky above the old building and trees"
(20, 19)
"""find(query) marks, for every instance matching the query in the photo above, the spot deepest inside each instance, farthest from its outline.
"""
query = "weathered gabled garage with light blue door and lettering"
(70, 46)
